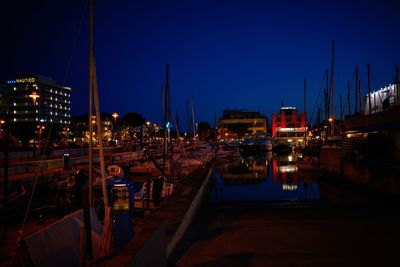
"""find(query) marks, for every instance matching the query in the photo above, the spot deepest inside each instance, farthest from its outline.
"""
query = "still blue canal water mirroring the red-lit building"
(264, 178)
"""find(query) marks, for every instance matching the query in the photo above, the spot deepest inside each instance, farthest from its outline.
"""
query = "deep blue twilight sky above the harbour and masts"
(223, 54)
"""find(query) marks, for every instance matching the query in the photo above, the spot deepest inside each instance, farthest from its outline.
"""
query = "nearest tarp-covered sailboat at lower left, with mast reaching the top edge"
(78, 237)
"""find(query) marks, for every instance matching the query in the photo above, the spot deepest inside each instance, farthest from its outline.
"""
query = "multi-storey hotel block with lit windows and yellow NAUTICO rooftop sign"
(37, 99)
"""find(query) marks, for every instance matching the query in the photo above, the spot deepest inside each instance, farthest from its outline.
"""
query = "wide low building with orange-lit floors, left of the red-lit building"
(237, 123)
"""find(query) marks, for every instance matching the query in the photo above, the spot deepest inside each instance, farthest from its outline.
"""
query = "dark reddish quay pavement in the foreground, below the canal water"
(284, 236)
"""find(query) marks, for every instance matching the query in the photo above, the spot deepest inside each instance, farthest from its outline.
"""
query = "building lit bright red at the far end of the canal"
(288, 126)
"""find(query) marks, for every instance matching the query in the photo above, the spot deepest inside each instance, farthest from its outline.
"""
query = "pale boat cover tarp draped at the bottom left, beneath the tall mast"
(59, 243)
